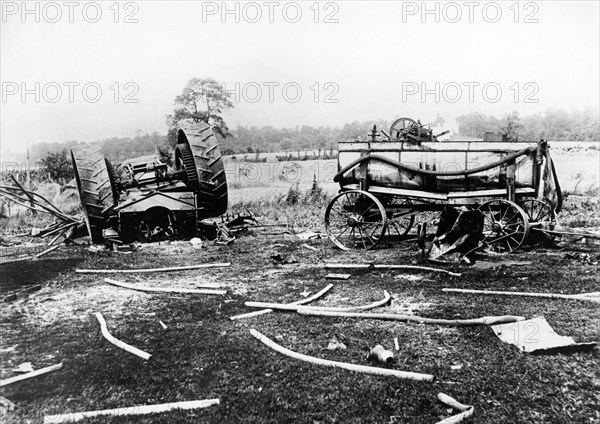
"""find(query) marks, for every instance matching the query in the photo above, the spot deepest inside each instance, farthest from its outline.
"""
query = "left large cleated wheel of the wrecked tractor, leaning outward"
(96, 187)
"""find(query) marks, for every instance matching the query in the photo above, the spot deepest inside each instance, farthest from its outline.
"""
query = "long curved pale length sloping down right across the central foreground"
(352, 367)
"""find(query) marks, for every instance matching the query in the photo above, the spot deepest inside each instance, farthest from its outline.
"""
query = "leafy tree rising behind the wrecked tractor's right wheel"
(202, 99)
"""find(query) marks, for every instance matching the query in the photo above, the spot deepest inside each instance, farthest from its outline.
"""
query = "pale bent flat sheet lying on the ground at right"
(536, 336)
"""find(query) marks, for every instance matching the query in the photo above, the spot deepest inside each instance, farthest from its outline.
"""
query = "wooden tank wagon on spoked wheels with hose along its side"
(386, 181)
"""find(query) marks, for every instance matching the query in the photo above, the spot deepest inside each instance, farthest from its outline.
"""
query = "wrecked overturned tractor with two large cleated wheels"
(152, 202)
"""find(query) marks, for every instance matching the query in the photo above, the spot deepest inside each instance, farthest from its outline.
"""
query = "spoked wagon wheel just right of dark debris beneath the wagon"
(505, 225)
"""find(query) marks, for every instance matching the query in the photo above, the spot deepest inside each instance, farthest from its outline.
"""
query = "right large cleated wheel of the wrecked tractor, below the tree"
(205, 171)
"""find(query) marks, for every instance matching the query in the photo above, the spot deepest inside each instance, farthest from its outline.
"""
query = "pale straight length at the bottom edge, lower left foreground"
(132, 410)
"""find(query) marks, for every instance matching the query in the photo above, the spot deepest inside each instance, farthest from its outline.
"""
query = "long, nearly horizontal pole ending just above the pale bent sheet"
(396, 317)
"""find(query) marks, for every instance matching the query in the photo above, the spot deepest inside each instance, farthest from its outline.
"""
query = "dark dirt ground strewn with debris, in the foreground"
(204, 355)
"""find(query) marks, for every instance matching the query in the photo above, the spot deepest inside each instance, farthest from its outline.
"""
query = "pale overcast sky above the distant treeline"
(359, 61)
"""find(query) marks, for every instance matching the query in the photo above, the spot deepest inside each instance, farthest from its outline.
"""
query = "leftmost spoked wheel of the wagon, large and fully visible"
(355, 220)
